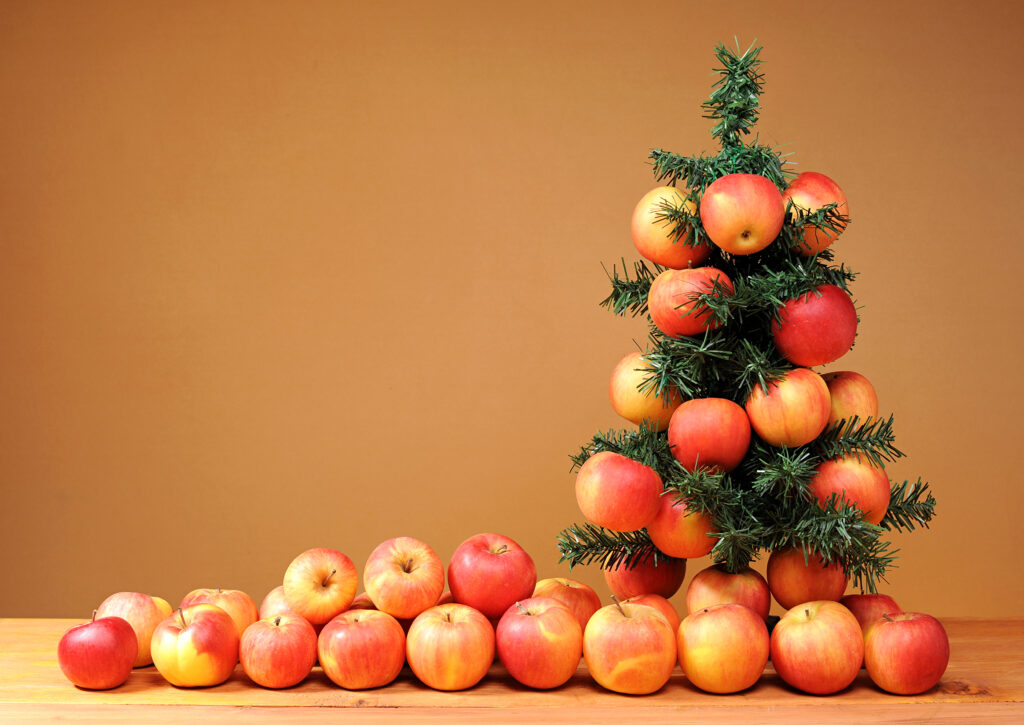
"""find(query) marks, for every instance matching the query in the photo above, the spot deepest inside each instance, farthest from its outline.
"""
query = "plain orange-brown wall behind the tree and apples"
(277, 276)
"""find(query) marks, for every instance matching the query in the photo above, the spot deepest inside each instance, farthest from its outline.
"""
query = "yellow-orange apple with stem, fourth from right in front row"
(629, 649)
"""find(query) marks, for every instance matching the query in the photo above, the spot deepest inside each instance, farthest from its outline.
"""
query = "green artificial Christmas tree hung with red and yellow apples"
(760, 454)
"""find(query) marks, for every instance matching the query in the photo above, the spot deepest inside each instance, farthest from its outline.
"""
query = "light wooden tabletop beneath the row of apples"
(985, 684)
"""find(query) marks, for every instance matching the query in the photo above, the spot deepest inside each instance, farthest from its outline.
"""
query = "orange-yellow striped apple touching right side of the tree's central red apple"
(794, 412)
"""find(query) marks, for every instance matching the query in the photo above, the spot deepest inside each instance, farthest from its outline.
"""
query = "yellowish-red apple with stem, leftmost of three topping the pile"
(320, 584)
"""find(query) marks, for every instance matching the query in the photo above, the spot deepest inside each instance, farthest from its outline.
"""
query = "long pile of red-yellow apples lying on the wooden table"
(538, 630)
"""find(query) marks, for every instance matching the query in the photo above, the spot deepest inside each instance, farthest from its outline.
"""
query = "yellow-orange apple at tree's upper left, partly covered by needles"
(655, 238)
